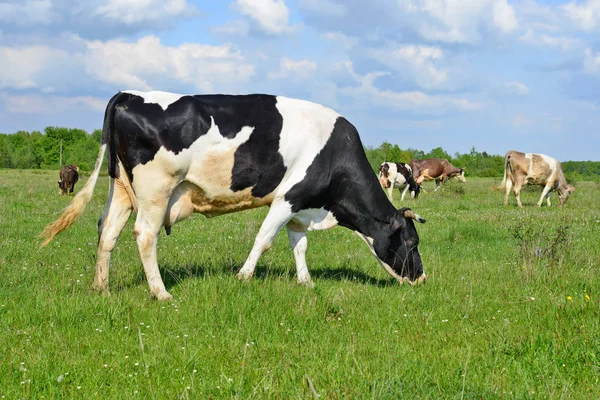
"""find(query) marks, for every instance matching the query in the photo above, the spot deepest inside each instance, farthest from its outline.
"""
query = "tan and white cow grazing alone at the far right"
(538, 169)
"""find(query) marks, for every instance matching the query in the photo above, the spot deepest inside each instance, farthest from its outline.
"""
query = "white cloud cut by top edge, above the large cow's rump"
(136, 11)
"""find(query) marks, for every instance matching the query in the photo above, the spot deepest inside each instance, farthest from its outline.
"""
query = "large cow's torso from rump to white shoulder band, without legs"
(237, 151)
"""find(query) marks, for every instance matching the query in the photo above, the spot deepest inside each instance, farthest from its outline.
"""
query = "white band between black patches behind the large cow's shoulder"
(306, 129)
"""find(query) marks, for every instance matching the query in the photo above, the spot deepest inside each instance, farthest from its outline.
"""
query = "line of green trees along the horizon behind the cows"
(42, 150)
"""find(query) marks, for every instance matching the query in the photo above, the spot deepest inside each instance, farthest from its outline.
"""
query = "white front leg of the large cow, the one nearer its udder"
(279, 215)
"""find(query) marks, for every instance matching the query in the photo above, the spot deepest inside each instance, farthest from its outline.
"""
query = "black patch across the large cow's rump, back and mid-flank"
(143, 128)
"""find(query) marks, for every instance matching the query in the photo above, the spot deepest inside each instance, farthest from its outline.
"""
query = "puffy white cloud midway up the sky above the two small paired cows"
(419, 60)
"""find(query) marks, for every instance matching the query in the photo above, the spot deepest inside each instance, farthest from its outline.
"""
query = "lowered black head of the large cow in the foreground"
(400, 251)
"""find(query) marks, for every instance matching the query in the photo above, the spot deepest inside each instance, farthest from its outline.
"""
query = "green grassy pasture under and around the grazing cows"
(510, 309)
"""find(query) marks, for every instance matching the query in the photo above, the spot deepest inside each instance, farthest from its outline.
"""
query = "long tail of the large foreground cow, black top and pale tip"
(80, 201)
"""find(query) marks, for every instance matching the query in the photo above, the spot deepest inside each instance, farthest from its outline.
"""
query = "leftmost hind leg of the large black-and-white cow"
(110, 226)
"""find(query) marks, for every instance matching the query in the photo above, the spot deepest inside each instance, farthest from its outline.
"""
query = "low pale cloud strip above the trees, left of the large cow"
(49, 104)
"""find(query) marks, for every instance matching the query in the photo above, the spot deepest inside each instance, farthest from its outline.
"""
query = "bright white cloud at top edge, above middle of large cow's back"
(270, 16)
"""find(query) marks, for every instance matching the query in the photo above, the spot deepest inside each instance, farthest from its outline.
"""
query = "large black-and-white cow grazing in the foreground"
(171, 155)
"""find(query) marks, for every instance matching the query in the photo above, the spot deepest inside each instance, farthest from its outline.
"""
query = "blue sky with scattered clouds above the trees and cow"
(493, 74)
